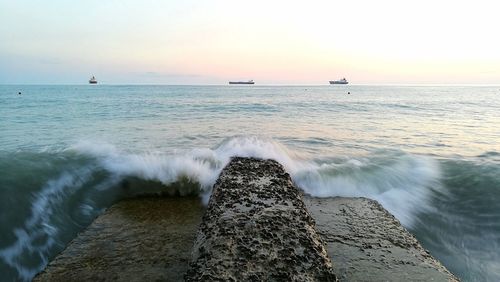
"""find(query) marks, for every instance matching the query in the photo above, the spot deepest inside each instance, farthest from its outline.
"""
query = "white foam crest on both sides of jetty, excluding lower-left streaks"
(402, 183)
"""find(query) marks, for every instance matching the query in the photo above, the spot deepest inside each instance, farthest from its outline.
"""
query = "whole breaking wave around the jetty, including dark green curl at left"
(92, 175)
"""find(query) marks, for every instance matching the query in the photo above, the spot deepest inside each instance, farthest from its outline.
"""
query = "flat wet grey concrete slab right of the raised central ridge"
(366, 243)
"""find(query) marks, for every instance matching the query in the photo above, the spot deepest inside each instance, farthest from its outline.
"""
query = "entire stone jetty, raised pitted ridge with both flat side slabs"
(257, 227)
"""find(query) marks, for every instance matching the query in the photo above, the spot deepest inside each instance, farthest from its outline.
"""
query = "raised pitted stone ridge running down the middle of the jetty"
(256, 228)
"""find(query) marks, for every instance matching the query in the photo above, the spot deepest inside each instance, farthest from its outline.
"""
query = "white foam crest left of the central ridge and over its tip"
(201, 165)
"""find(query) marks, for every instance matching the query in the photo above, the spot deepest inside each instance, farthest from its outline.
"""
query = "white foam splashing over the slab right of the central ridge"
(403, 184)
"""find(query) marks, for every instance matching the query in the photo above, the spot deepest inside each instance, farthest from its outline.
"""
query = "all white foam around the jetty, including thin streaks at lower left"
(402, 183)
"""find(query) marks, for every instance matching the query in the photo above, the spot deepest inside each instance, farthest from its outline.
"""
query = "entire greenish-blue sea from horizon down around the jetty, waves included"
(429, 154)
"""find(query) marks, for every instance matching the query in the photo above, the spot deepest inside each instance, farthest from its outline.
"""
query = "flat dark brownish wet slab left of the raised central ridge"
(142, 239)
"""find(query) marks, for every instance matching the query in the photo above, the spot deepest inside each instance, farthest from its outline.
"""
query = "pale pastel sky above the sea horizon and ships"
(271, 42)
